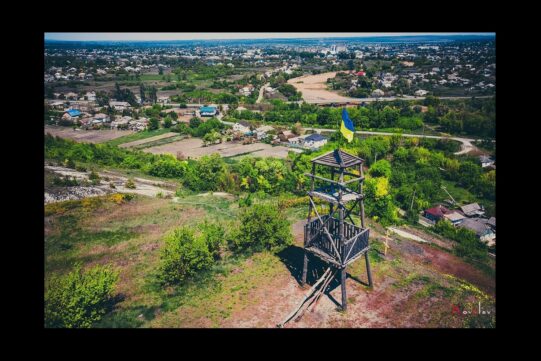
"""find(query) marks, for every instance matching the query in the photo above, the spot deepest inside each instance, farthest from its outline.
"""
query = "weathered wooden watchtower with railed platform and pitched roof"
(331, 237)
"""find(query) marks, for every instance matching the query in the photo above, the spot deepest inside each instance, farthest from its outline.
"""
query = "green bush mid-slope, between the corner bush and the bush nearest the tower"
(183, 255)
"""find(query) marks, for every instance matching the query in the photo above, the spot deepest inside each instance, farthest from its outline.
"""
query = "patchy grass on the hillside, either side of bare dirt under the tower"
(129, 235)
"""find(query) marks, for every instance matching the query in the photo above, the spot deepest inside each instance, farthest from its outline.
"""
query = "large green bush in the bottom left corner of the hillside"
(79, 299)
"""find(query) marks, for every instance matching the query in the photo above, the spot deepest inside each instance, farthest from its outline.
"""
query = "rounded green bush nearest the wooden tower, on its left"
(262, 227)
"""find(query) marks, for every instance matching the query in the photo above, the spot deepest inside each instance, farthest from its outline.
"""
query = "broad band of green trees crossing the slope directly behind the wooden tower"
(404, 172)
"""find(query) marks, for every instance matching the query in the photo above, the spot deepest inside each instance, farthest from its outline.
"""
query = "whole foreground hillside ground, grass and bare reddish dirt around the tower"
(415, 285)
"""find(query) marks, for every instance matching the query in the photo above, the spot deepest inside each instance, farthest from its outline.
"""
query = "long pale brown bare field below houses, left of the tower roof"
(193, 148)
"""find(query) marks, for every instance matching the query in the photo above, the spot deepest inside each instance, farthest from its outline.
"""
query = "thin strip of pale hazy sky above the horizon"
(197, 36)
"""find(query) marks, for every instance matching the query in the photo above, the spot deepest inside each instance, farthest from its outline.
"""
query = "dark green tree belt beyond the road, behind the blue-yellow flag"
(475, 117)
